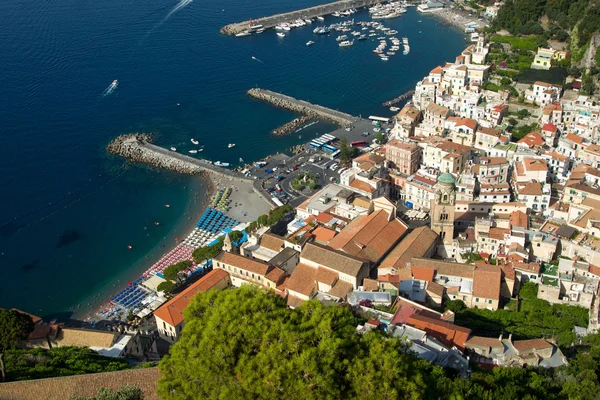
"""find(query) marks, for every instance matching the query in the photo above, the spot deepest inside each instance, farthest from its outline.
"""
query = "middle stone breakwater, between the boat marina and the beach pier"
(302, 107)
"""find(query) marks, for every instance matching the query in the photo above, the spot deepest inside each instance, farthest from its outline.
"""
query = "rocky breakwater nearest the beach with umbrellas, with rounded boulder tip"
(138, 148)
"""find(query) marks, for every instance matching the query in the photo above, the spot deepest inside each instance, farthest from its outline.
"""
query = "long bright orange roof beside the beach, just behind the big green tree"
(172, 311)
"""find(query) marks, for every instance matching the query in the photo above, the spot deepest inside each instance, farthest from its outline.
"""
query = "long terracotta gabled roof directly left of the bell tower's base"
(415, 244)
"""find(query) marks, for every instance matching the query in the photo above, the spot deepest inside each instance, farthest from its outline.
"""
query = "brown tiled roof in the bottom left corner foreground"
(78, 386)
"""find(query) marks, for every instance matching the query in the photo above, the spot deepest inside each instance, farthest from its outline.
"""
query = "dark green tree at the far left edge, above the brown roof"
(14, 328)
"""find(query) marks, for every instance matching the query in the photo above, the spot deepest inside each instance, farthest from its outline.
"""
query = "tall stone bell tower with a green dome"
(442, 208)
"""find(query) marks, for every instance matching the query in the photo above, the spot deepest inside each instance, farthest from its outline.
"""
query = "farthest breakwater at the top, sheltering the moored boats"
(311, 12)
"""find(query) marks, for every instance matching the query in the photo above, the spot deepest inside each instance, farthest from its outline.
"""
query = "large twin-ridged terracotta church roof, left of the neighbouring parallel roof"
(371, 236)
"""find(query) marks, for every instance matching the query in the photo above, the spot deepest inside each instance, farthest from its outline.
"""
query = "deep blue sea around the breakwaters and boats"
(68, 210)
